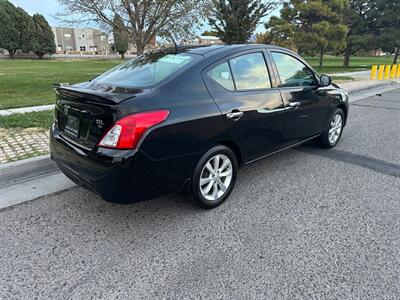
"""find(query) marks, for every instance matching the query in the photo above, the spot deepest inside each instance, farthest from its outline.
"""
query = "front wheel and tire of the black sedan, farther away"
(334, 129)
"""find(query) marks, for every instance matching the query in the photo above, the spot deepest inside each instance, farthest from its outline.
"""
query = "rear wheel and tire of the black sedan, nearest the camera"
(214, 177)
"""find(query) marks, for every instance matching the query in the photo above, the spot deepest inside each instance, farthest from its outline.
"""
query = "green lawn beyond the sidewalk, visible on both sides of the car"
(28, 82)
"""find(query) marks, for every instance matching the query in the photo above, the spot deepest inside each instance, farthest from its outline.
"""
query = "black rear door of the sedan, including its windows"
(252, 107)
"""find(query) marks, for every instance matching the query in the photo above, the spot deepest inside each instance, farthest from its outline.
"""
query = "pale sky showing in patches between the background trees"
(49, 9)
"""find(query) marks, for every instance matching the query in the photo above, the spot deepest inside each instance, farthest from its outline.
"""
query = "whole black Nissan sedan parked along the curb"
(188, 117)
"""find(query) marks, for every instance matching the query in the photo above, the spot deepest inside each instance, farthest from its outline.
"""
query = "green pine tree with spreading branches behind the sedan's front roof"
(315, 26)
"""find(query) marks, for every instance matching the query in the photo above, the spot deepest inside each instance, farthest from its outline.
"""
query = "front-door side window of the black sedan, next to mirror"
(292, 72)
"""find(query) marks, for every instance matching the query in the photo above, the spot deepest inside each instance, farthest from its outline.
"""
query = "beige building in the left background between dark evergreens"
(79, 40)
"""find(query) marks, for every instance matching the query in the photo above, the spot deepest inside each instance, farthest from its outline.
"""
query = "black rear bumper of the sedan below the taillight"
(118, 176)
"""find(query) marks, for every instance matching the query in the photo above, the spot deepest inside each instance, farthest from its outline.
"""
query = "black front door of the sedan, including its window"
(307, 105)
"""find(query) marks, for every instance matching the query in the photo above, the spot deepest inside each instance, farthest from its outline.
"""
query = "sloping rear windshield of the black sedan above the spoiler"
(146, 70)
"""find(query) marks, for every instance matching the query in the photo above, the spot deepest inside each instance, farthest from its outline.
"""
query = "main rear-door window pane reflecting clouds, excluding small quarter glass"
(250, 72)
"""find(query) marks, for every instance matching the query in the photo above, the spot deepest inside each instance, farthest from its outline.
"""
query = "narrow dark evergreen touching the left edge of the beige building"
(44, 43)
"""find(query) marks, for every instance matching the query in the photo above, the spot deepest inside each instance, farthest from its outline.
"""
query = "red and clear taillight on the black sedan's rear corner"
(127, 131)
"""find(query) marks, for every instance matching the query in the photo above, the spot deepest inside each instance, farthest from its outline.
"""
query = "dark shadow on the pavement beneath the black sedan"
(84, 205)
